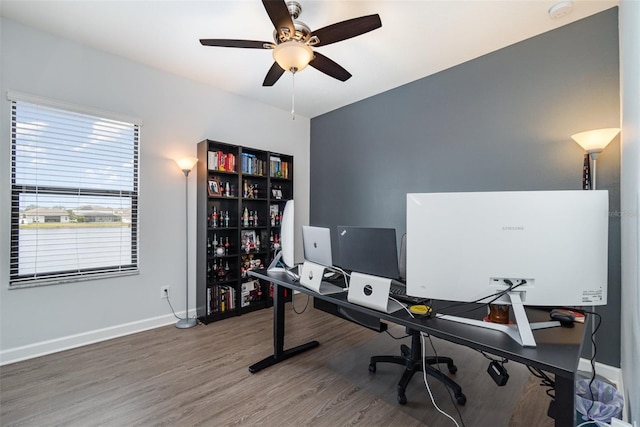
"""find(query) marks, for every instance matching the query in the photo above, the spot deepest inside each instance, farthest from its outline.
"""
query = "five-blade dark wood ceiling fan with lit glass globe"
(293, 41)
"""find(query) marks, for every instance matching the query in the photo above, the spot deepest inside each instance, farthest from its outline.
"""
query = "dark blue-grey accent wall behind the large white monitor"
(499, 122)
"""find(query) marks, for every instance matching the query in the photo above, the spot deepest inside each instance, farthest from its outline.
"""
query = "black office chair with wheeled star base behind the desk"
(411, 357)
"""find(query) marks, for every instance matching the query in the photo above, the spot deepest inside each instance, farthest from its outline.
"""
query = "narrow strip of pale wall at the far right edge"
(629, 18)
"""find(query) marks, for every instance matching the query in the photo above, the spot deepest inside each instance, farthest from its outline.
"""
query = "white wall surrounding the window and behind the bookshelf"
(176, 113)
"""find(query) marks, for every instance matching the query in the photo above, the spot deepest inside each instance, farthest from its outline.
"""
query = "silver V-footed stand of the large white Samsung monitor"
(521, 332)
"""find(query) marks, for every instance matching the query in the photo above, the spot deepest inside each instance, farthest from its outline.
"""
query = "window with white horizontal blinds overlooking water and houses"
(74, 194)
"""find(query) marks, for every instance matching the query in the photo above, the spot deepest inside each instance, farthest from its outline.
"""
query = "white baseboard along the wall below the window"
(43, 348)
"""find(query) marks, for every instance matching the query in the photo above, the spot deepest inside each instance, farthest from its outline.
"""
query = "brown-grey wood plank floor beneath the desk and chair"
(199, 377)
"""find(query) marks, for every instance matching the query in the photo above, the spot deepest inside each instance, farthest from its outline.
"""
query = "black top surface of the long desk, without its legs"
(558, 349)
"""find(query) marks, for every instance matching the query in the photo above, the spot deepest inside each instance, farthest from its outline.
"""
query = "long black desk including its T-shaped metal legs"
(558, 349)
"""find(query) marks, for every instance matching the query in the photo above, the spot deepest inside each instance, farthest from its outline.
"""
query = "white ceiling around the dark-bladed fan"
(417, 38)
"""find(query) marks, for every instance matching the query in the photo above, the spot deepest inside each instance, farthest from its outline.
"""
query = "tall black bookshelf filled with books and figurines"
(241, 193)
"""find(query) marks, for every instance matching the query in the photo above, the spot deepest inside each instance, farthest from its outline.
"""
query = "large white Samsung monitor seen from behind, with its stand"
(536, 248)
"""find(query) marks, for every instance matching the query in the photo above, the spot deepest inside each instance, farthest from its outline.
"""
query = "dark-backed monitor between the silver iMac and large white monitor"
(369, 250)
